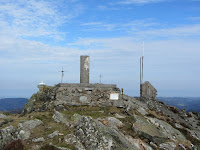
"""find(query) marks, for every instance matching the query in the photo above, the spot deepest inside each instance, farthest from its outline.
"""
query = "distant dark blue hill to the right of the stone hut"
(188, 103)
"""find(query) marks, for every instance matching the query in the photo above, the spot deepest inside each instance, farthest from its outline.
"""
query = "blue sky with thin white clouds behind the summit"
(39, 37)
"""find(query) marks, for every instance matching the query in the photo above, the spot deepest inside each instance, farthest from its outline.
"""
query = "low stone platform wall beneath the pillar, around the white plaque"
(86, 94)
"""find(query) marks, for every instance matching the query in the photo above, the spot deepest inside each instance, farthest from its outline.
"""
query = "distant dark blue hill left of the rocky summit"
(12, 103)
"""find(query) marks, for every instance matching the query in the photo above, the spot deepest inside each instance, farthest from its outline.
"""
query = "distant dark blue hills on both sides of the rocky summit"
(188, 103)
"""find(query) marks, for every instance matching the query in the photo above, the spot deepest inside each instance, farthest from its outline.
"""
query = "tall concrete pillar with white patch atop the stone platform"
(84, 69)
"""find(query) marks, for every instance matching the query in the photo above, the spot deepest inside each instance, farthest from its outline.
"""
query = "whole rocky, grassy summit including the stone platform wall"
(97, 117)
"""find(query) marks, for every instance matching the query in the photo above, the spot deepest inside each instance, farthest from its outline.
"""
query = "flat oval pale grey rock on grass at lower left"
(29, 125)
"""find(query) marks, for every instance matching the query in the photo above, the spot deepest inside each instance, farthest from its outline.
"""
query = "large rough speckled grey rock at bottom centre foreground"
(94, 135)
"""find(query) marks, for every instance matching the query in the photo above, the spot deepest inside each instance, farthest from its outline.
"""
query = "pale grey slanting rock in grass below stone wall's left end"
(60, 118)
